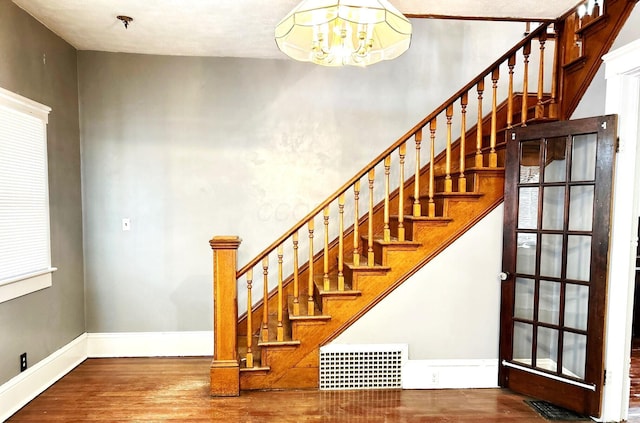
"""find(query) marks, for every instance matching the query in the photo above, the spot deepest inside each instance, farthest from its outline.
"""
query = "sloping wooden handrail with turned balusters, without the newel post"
(414, 196)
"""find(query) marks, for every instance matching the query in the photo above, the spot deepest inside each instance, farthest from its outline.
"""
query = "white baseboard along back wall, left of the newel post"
(150, 344)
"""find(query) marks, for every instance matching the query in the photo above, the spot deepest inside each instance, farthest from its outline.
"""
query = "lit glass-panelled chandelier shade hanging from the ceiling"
(343, 32)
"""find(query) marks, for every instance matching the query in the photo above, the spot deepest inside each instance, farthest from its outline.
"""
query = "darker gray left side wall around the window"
(42, 322)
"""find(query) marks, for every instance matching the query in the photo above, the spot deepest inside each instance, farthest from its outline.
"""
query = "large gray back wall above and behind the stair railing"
(190, 147)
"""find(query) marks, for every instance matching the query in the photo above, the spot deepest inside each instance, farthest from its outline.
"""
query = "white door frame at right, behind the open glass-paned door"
(622, 98)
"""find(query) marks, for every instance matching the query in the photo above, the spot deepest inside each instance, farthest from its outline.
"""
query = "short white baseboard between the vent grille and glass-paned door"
(450, 374)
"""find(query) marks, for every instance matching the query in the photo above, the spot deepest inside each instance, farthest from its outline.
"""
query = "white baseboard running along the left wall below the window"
(18, 391)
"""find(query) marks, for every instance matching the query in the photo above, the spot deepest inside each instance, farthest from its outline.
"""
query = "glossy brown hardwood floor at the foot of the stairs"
(176, 390)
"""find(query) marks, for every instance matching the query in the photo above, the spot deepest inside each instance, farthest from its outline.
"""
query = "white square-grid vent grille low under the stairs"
(345, 367)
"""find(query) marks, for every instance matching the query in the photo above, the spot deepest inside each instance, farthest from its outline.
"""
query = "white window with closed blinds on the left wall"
(25, 253)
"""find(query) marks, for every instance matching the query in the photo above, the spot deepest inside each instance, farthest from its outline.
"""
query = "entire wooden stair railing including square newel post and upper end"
(412, 194)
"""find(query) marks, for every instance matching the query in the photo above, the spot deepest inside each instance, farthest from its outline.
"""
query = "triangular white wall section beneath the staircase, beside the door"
(446, 310)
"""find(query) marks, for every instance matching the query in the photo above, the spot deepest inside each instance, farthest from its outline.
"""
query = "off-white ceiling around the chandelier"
(234, 28)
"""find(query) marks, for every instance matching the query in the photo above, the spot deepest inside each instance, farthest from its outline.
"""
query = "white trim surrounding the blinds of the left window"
(25, 284)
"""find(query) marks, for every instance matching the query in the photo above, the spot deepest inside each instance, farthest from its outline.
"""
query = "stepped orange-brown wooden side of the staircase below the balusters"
(297, 367)
